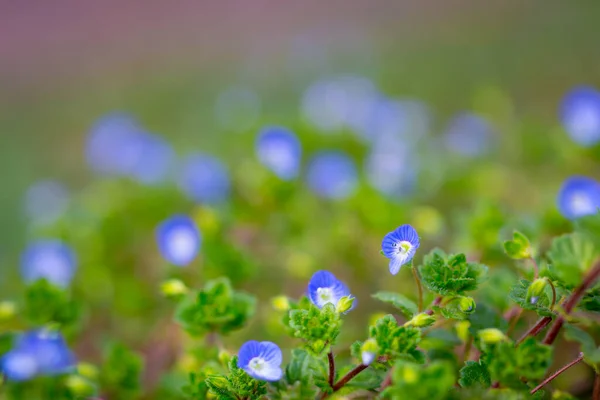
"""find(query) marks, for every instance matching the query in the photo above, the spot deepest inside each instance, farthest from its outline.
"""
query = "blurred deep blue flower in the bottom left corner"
(38, 352)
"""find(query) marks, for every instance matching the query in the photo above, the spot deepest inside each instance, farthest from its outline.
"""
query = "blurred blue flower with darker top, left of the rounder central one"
(279, 150)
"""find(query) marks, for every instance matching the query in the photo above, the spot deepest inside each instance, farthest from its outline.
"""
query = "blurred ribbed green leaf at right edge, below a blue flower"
(571, 256)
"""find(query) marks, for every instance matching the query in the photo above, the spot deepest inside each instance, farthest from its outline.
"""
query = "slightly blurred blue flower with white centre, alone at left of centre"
(178, 240)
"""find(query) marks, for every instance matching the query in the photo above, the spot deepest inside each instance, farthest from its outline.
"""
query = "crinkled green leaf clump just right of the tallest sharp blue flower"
(450, 275)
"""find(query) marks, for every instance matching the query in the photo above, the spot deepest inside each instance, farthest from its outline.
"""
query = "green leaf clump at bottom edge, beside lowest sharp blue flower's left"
(236, 385)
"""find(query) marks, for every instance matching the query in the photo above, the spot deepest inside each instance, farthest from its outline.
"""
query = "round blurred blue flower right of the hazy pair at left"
(204, 179)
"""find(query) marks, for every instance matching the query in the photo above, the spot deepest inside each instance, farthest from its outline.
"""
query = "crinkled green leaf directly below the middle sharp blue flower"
(317, 327)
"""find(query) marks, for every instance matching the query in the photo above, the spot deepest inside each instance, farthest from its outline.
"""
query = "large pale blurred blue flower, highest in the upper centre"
(339, 102)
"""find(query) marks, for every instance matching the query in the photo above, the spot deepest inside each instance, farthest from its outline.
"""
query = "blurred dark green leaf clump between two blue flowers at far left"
(46, 303)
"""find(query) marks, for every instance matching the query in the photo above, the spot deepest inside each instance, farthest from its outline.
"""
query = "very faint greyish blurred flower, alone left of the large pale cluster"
(237, 108)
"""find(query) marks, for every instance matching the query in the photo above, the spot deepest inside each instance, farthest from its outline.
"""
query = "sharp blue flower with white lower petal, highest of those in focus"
(400, 246)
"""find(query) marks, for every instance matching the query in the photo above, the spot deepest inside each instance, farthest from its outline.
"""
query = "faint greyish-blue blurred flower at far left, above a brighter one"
(46, 201)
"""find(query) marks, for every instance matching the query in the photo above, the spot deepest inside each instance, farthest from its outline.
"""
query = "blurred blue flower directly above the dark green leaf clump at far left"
(48, 259)
